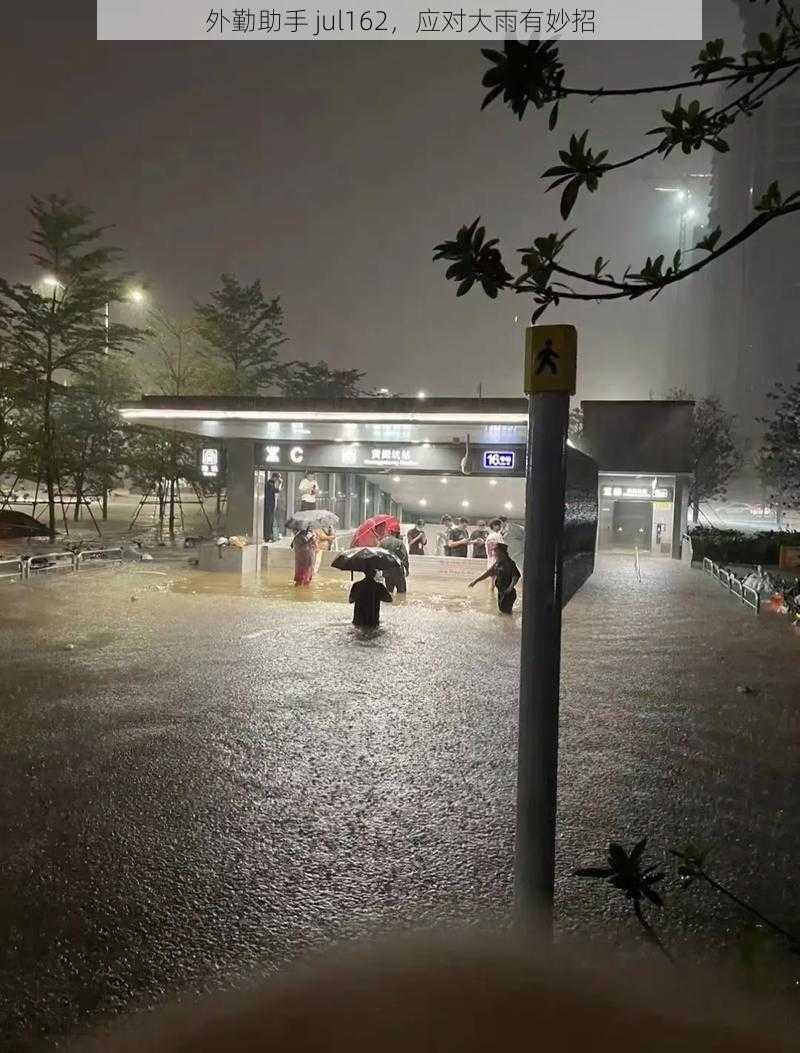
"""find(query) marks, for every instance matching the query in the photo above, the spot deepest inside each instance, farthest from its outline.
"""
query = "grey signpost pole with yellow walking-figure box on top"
(541, 655)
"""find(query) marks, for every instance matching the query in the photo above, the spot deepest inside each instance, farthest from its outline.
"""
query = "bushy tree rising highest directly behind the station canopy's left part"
(242, 333)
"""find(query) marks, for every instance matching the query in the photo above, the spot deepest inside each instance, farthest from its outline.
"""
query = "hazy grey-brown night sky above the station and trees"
(329, 172)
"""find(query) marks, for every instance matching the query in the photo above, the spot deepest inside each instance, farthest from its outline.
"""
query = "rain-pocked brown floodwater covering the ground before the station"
(198, 782)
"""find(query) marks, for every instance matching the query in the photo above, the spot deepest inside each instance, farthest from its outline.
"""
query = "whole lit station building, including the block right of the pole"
(421, 460)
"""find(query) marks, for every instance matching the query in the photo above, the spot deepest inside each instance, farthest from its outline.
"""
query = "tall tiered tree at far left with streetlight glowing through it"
(62, 327)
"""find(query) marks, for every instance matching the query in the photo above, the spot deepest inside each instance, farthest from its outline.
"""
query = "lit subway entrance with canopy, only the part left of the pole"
(414, 460)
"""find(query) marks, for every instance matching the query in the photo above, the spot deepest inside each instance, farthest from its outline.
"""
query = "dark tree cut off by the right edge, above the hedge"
(779, 458)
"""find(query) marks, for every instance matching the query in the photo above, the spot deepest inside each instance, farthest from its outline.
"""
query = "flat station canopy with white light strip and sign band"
(391, 440)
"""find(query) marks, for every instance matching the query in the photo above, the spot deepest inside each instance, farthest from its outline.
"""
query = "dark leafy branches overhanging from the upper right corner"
(532, 75)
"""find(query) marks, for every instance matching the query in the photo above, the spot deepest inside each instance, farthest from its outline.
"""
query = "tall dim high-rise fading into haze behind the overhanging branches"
(752, 295)
